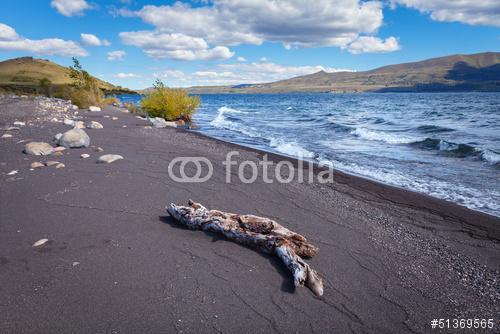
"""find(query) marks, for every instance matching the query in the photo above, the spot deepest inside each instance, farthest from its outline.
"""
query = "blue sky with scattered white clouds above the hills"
(227, 42)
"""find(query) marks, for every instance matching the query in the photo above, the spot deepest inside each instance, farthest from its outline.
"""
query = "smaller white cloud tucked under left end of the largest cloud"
(174, 45)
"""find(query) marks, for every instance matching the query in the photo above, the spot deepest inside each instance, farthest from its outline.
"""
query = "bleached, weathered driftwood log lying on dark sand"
(260, 233)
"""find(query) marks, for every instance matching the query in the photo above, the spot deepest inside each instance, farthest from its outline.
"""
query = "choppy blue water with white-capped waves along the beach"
(443, 144)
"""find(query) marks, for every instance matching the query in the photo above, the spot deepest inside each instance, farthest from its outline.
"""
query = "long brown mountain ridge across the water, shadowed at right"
(477, 72)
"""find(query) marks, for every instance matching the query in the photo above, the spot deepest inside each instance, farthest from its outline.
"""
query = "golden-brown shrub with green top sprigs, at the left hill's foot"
(85, 90)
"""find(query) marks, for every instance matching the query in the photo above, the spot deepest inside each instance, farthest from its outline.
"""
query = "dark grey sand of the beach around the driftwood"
(392, 260)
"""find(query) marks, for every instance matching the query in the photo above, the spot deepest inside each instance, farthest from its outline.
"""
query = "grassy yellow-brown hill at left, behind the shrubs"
(25, 73)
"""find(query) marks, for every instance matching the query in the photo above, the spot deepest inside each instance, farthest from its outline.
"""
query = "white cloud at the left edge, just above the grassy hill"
(11, 41)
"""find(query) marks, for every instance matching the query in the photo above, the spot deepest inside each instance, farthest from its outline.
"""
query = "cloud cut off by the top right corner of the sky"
(473, 12)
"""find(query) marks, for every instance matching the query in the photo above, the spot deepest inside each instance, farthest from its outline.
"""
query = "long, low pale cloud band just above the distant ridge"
(232, 74)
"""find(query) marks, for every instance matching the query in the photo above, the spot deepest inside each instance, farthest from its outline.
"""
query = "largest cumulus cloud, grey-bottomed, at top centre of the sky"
(294, 23)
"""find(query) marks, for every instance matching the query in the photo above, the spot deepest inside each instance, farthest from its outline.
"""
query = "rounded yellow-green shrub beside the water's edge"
(169, 103)
